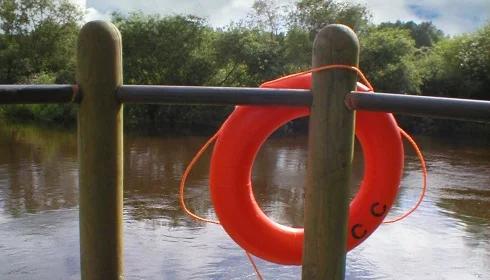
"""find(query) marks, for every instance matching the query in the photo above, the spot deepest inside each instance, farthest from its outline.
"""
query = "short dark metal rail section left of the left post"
(32, 94)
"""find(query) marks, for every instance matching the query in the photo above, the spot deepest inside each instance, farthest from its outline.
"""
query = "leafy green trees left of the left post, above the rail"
(38, 36)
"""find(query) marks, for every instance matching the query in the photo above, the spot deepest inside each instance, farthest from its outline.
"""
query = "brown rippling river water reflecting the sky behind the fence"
(447, 238)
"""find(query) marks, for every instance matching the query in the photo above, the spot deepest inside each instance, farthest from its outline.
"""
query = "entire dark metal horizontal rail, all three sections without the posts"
(437, 107)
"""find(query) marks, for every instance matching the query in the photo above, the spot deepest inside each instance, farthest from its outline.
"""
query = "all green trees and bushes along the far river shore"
(38, 46)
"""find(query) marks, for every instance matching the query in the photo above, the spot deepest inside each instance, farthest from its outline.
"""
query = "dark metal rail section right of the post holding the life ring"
(437, 107)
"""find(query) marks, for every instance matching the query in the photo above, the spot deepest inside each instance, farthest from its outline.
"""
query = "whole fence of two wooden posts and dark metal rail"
(100, 93)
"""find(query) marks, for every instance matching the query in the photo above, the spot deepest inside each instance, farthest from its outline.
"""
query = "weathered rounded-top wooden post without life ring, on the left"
(100, 150)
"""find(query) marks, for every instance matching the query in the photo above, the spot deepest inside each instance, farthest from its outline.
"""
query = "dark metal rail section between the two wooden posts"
(213, 95)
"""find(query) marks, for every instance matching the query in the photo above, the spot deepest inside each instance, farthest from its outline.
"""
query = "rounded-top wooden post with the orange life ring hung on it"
(330, 151)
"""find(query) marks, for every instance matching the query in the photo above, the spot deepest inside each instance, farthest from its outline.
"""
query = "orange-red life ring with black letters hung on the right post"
(238, 142)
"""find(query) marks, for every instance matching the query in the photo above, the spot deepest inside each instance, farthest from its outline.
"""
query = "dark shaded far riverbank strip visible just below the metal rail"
(201, 120)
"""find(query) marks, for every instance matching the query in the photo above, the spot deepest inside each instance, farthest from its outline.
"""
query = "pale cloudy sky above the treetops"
(452, 16)
